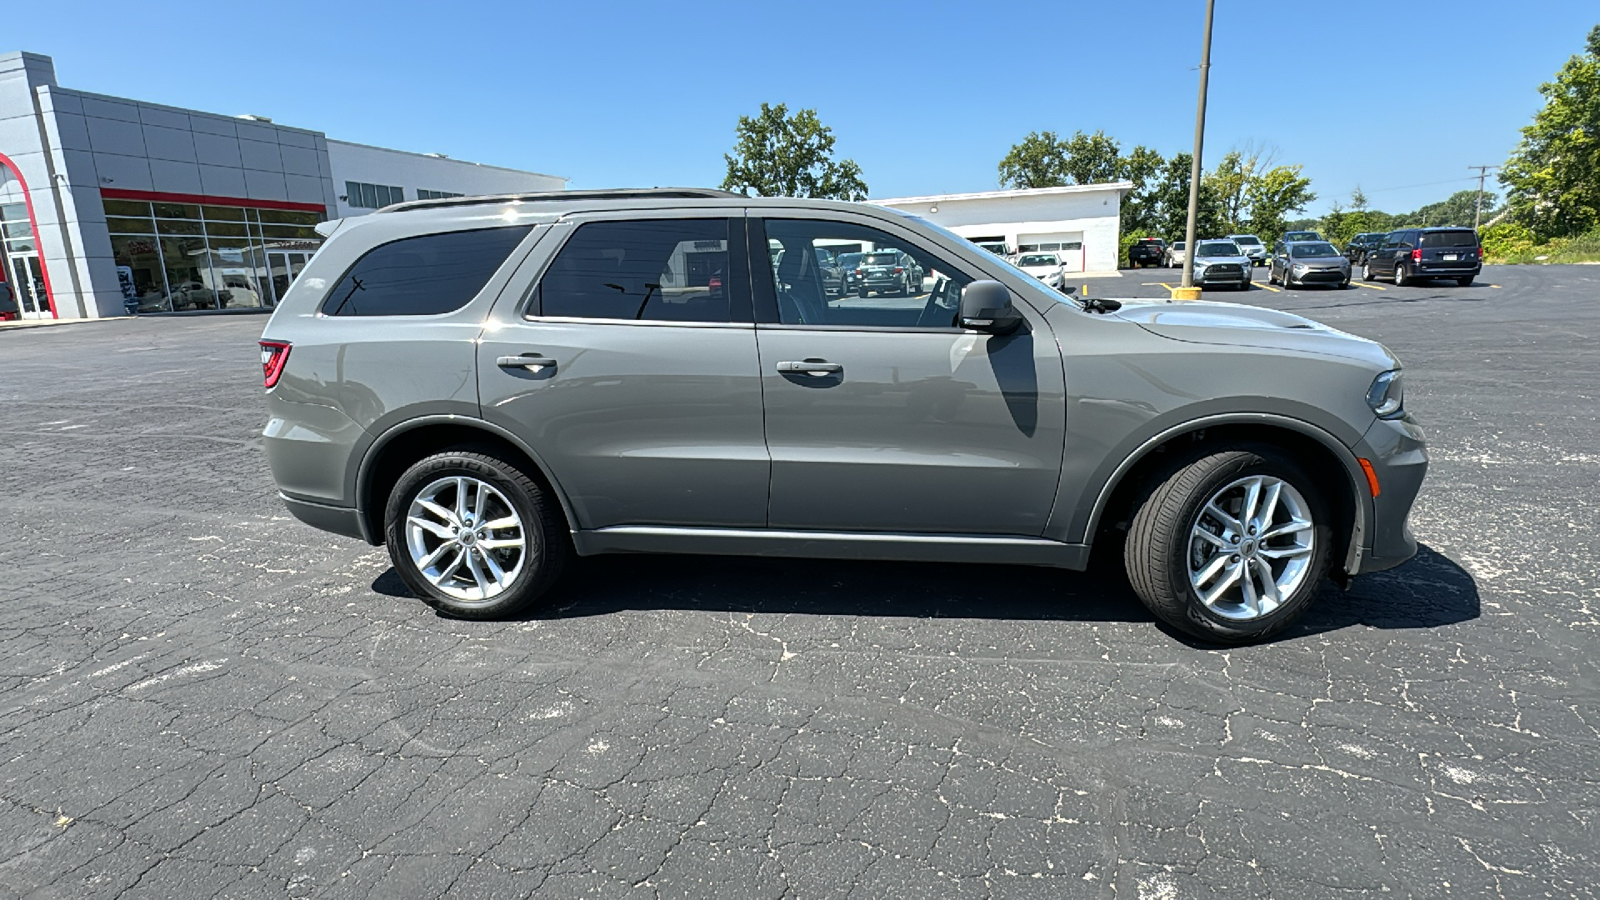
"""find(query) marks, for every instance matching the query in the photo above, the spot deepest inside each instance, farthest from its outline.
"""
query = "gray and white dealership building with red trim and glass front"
(111, 207)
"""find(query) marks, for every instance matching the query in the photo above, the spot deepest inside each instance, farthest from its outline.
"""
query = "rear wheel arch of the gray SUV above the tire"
(414, 440)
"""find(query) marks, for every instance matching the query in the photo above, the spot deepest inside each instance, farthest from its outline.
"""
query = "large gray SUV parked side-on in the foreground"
(494, 385)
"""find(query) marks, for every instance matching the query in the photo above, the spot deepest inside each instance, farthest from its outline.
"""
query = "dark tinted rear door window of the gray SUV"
(657, 270)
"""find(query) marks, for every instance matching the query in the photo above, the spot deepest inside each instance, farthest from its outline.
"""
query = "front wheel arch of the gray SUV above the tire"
(1330, 464)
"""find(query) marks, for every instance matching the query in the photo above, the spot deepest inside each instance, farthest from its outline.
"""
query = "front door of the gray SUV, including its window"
(882, 416)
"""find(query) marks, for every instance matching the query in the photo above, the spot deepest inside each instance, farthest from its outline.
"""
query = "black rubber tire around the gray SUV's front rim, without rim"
(1158, 550)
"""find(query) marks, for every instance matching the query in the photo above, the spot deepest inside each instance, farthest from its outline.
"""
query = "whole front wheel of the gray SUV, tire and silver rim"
(1233, 547)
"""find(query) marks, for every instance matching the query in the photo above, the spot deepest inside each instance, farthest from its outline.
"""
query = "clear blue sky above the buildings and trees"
(927, 97)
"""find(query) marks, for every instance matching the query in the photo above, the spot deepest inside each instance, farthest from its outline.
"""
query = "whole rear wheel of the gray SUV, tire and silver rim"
(473, 536)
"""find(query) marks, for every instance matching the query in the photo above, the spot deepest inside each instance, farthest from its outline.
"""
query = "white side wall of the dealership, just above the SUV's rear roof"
(410, 172)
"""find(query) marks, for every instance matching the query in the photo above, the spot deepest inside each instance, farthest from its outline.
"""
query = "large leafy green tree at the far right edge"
(1554, 174)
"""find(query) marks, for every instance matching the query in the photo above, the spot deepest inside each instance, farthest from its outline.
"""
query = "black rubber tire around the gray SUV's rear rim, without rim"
(546, 545)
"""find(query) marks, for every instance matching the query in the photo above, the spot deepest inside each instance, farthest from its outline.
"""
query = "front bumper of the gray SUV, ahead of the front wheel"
(1398, 452)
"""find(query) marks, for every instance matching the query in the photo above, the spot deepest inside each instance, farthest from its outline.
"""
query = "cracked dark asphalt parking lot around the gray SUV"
(202, 697)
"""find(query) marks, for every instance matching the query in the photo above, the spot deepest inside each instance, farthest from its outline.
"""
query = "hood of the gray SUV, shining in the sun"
(1252, 327)
